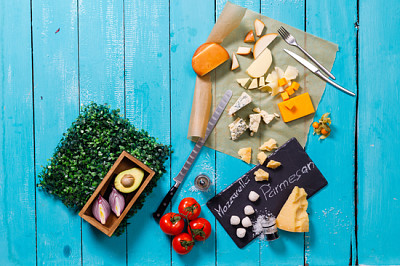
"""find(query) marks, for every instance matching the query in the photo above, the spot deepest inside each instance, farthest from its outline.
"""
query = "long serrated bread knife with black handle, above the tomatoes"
(192, 157)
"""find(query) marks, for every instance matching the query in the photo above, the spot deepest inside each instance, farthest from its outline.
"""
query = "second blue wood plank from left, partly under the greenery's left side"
(56, 97)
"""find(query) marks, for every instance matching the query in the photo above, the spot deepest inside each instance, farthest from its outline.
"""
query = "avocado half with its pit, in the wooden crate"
(129, 180)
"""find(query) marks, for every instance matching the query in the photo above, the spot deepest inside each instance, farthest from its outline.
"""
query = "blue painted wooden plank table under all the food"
(136, 56)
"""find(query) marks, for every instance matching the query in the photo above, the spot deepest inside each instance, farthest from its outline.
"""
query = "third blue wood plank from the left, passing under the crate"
(101, 76)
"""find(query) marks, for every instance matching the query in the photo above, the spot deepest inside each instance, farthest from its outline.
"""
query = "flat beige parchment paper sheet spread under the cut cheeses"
(224, 78)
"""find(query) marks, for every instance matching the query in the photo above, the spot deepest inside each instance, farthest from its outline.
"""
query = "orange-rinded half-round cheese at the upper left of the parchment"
(207, 57)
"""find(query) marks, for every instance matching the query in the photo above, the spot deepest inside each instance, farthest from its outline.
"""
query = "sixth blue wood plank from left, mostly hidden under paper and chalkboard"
(228, 170)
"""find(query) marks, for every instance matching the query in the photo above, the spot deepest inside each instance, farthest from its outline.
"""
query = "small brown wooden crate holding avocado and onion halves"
(124, 162)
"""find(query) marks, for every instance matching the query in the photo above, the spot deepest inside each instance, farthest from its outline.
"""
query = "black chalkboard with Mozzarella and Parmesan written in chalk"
(297, 169)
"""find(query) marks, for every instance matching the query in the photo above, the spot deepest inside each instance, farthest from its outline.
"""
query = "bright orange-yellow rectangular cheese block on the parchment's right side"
(296, 107)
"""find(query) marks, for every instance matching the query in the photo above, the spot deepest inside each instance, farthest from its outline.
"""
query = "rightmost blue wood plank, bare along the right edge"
(378, 142)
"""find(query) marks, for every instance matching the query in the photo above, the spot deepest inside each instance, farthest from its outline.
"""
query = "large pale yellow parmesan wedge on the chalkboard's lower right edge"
(293, 216)
